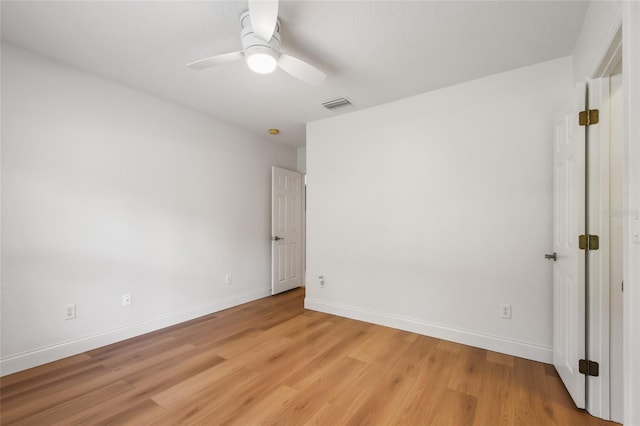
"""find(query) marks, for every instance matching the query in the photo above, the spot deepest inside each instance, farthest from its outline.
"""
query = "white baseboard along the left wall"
(22, 361)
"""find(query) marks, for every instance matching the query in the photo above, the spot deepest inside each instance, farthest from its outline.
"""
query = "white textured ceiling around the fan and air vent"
(373, 51)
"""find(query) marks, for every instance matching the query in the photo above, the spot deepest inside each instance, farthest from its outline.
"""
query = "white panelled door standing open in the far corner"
(286, 232)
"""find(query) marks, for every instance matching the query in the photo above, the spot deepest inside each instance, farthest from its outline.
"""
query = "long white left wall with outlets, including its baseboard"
(105, 191)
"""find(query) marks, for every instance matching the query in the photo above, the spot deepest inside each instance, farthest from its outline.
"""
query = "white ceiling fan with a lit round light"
(261, 46)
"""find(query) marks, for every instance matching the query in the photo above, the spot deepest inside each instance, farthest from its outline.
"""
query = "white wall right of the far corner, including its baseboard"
(428, 213)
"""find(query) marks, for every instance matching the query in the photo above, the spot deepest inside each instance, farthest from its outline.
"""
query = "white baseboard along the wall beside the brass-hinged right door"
(466, 337)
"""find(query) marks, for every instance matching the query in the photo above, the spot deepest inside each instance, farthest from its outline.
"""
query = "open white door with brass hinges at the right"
(569, 267)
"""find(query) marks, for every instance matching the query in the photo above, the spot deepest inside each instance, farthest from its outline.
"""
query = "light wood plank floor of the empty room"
(272, 362)
